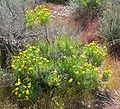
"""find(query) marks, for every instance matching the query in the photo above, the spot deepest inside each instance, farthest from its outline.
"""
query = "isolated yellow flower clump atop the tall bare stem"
(40, 15)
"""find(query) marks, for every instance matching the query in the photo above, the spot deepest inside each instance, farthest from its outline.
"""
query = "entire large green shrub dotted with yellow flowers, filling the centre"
(65, 63)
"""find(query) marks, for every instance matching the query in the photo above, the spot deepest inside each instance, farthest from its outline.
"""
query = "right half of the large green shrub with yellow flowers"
(79, 64)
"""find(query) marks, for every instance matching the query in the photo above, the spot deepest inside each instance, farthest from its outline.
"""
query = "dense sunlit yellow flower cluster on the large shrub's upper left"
(28, 60)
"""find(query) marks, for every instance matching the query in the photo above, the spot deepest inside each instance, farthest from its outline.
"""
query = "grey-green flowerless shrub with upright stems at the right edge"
(110, 26)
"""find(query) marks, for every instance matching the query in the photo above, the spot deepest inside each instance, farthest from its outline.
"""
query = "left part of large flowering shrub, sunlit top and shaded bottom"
(27, 66)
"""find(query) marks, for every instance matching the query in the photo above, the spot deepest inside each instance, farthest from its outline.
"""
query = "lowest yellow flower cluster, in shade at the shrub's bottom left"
(23, 87)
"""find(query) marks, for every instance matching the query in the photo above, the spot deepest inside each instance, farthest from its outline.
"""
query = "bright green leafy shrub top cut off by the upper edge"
(90, 7)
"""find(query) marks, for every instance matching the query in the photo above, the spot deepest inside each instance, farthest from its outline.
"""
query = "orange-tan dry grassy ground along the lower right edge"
(113, 85)
